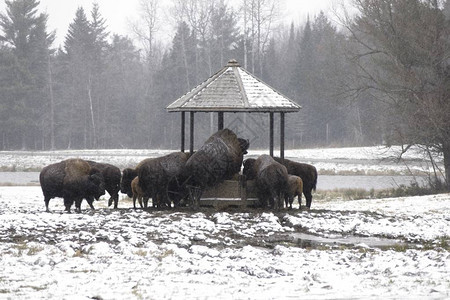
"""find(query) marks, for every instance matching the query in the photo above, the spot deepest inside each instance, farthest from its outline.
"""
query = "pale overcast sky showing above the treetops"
(119, 13)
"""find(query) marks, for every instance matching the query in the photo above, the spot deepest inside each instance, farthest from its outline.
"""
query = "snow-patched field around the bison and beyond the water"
(370, 248)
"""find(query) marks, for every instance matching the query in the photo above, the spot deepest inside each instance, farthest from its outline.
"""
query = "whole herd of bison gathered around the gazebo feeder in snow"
(170, 179)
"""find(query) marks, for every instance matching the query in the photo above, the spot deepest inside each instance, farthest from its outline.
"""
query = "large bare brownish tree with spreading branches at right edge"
(402, 50)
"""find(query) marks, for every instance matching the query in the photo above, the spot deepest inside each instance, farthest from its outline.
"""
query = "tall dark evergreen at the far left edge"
(25, 34)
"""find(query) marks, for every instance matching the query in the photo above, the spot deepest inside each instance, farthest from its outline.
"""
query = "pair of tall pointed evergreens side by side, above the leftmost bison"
(85, 46)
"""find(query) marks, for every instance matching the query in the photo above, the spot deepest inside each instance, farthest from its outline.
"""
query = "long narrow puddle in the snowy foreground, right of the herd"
(305, 240)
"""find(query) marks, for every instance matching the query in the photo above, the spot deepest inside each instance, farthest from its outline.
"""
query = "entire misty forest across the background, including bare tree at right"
(377, 75)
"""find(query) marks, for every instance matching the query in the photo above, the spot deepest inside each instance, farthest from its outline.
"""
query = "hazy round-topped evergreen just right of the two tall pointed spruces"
(124, 84)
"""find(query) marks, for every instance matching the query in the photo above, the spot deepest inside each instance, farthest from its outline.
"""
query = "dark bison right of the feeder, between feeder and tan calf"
(271, 180)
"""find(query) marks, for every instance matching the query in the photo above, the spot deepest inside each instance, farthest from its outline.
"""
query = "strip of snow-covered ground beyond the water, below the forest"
(357, 160)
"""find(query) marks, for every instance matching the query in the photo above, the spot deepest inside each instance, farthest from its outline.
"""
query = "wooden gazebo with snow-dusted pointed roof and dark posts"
(231, 90)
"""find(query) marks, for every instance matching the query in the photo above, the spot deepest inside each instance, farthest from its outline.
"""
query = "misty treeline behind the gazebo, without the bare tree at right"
(102, 90)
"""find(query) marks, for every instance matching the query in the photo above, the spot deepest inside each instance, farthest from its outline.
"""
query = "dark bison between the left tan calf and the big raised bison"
(157, 174)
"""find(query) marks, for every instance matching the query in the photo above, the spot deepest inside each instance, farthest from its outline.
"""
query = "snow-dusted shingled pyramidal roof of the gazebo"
(233, 89)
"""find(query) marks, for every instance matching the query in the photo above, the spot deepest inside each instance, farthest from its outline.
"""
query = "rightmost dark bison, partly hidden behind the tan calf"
(306, 172)
